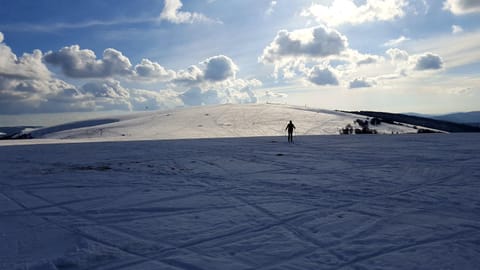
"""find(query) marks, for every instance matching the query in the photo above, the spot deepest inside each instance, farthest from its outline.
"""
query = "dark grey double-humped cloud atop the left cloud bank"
(83, 63)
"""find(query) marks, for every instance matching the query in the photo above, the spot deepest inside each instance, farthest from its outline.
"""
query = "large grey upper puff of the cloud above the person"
(314, 42)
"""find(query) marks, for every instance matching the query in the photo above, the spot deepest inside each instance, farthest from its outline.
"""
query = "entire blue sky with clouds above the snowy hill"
(64, 56)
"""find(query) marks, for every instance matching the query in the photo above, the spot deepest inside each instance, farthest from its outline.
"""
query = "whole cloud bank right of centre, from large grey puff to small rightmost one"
(321, 56)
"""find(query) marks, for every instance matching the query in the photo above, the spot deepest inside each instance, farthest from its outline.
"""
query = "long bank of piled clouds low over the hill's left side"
(27, 85)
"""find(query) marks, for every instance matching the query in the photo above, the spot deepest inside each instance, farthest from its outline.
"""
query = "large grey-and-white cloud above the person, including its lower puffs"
(319, 55)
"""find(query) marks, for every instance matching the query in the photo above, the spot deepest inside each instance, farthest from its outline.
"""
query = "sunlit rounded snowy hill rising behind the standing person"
(212, 122)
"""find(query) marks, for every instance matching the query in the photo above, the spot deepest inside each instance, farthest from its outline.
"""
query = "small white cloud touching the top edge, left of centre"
(171, 13)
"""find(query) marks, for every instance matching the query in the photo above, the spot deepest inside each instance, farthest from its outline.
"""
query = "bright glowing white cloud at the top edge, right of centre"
(348, 12)
